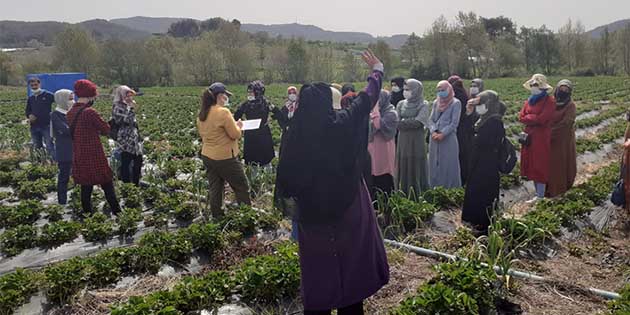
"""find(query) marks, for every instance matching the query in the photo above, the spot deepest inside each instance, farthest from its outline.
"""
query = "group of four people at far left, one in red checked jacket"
(76, 129)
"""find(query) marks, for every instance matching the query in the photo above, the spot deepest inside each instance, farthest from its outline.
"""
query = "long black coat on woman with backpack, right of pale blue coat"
(482, 190)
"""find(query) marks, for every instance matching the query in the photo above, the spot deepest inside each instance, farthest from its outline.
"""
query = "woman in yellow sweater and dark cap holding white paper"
(220, 134)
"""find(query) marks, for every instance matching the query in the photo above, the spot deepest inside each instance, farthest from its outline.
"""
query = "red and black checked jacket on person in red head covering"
(89, 164)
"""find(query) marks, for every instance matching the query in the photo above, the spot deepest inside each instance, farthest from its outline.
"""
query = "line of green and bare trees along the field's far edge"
(197, 53)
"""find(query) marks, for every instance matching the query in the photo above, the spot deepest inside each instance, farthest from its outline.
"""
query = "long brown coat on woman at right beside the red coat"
(563, 165)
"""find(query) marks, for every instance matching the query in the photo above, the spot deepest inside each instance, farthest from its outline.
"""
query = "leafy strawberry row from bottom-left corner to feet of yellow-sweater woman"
(63, 280)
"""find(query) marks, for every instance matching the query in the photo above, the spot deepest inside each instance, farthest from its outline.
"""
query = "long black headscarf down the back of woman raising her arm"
(319, 165)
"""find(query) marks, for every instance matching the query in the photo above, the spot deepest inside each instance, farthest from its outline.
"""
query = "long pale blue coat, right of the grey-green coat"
(444, 155)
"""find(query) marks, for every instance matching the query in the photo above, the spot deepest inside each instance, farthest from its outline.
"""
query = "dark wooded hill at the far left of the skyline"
(18, 34)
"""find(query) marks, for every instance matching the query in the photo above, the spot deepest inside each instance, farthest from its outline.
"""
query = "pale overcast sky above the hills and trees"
(376, 17)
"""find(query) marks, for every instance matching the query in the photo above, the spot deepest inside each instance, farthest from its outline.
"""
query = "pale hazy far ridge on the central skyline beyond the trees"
(308, 32)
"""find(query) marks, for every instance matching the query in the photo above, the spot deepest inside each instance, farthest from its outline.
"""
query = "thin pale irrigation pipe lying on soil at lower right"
(514, 273)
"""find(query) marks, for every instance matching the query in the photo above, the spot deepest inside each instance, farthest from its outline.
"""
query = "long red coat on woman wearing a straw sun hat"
(535, 158)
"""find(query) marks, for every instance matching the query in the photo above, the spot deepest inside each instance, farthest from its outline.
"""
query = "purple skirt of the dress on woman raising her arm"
(343, 263)
